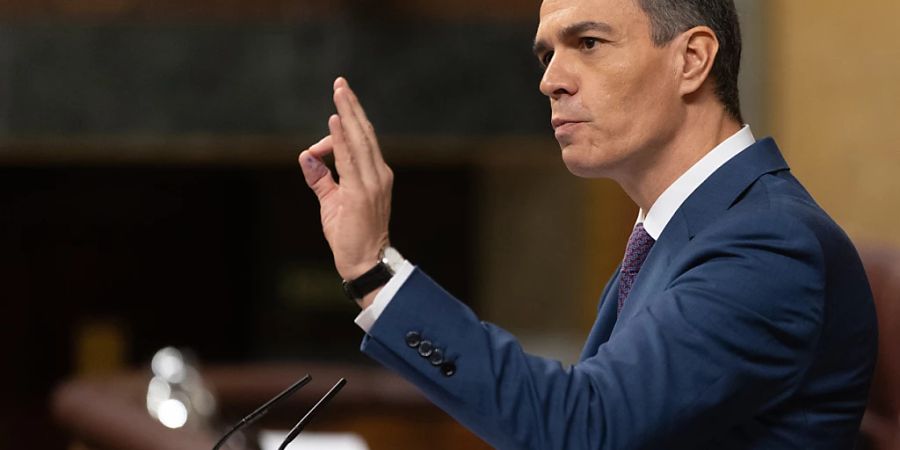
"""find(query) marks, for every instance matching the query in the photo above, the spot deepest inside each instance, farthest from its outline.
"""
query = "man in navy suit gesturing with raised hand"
(740, 318)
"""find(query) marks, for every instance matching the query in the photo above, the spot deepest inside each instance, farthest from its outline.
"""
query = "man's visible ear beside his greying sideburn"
(699, 47)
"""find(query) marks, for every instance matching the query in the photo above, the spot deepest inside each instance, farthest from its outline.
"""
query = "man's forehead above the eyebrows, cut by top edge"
(621, 15)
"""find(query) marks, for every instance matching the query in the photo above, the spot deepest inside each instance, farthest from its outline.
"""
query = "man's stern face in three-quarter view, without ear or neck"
(614, 95)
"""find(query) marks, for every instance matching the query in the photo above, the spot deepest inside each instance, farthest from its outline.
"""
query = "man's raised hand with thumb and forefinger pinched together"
(356, 212)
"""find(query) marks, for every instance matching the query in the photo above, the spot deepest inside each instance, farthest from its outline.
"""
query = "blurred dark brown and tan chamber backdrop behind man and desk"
(149, 193)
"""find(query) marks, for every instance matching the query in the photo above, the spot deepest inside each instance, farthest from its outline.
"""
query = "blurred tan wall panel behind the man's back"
(835, 104)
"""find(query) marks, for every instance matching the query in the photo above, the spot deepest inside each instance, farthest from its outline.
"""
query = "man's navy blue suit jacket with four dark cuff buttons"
(750, 326)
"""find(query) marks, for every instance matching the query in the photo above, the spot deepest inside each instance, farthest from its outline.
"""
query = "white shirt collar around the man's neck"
(670, 200)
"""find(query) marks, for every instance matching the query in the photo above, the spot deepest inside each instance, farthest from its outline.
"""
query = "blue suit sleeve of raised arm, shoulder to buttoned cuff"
(730, 335)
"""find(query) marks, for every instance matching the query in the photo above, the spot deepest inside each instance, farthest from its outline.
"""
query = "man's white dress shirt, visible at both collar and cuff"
(654, 221)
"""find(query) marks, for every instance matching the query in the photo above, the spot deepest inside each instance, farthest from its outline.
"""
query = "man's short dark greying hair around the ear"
(668, 18)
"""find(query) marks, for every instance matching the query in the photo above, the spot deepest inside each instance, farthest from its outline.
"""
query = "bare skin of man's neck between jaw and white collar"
(699, 133)
